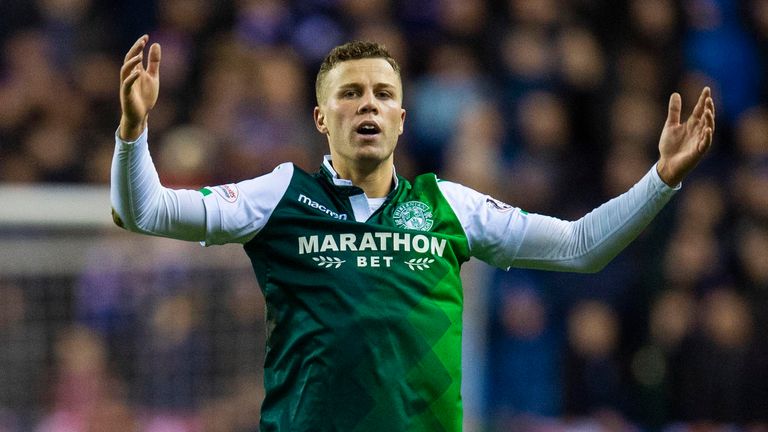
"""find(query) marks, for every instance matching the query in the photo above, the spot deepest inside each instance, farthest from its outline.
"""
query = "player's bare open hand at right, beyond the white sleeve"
(682, 145)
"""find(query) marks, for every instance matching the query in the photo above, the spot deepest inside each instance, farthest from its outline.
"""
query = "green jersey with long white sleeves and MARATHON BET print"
(364, 300)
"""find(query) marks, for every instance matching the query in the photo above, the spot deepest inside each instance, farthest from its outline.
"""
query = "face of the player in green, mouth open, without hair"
(361, 112)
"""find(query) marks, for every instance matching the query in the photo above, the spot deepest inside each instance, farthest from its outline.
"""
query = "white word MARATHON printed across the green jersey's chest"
(376, 241)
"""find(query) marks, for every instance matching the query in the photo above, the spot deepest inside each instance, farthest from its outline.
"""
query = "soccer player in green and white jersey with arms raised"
(360, 267)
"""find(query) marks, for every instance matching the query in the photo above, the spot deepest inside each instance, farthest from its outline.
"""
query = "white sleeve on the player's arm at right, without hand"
(509, 237)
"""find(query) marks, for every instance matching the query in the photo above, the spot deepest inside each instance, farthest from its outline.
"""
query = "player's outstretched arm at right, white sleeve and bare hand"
(506, 237)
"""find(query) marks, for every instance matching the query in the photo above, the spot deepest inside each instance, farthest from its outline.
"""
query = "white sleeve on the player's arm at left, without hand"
(231, 213)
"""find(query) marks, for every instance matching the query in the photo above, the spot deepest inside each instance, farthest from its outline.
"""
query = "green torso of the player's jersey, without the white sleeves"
(364, 319)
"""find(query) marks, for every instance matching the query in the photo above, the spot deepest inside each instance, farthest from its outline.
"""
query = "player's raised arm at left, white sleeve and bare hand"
(140, 203)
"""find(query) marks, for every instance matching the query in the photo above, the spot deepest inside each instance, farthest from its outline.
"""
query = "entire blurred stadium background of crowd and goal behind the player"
(551, 105)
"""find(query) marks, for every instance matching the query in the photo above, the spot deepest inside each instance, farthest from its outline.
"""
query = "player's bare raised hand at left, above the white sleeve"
(139, 88)
